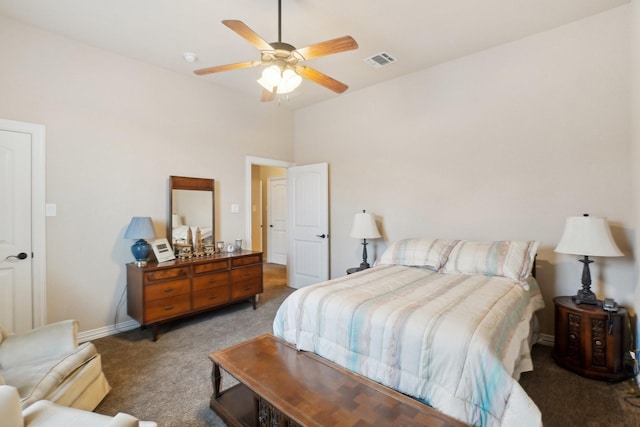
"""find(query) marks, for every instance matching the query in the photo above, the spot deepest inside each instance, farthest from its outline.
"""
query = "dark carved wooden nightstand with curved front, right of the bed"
(589, 340)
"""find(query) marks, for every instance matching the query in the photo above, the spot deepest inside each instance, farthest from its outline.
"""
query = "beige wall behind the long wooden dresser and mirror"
(116, 129)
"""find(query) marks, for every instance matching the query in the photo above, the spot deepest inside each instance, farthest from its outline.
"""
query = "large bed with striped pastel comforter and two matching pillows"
(448, 322)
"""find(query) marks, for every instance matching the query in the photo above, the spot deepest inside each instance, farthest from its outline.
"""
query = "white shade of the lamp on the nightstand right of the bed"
(589, 236)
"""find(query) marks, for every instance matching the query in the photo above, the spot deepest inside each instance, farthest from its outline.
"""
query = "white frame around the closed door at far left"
(38, 219)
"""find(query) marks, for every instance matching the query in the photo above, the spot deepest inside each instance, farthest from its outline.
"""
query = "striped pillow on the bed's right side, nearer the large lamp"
(511, 259)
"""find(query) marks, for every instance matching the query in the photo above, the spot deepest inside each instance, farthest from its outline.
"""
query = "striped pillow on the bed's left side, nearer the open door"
(422, 252)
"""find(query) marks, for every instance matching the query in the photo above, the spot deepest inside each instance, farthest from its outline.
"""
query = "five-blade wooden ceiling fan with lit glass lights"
(283, 73)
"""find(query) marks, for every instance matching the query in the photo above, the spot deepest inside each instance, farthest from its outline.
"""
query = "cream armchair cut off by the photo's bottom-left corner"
(46, 414)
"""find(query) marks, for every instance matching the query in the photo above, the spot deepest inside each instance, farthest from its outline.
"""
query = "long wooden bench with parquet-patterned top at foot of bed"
(280, 386)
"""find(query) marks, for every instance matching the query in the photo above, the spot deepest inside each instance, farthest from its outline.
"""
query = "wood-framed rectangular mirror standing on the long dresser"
(191, 210)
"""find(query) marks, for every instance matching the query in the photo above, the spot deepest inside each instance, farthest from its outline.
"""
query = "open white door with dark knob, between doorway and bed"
(308, 224)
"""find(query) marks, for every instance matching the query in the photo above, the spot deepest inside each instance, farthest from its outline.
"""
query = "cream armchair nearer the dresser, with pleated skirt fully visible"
(47, 363)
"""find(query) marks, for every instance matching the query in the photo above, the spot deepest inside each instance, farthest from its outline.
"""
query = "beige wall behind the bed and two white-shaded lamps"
(503, 144)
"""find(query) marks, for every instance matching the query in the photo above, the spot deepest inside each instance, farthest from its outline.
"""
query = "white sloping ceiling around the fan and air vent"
(418, 33)
